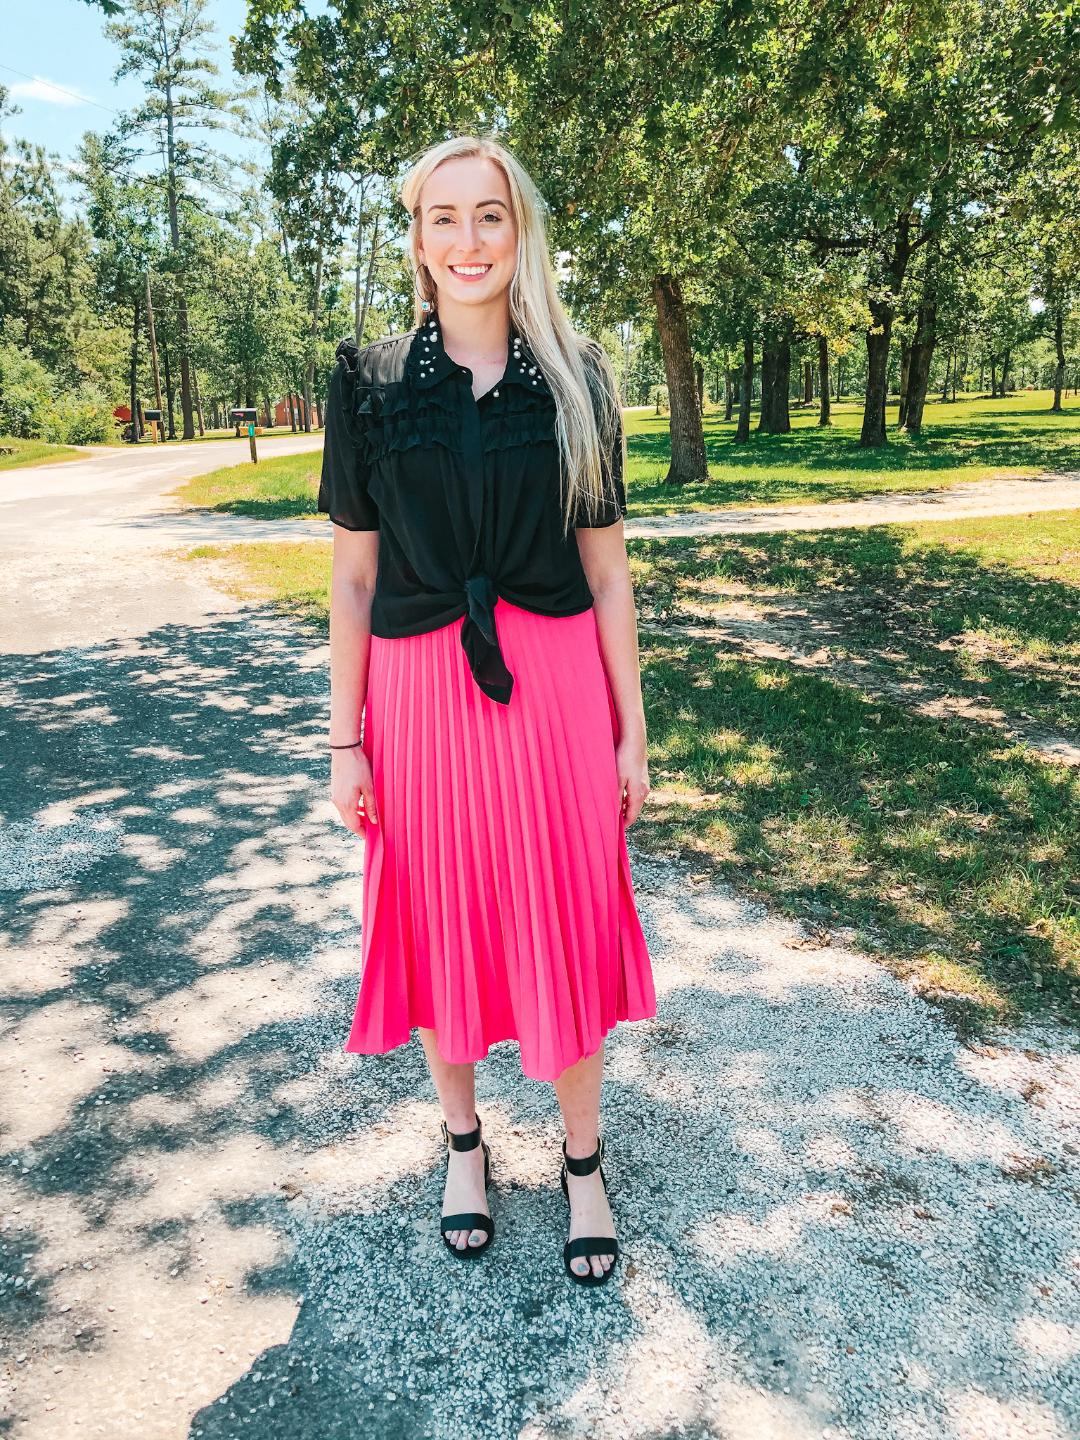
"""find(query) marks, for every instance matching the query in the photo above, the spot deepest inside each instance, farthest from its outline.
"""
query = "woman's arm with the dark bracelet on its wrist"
(352, 588)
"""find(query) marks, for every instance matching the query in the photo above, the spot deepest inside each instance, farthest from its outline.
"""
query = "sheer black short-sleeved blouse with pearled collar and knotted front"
(464, 492)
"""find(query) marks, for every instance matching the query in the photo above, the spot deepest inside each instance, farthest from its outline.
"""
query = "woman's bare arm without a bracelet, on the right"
(604, 559)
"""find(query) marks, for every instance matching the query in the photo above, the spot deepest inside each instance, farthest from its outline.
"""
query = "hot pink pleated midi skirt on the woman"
(499, 902)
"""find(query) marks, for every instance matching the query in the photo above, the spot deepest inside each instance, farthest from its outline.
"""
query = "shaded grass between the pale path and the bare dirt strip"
(987, 608)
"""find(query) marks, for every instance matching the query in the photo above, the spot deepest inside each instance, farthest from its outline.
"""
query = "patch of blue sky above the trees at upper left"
(60, 66)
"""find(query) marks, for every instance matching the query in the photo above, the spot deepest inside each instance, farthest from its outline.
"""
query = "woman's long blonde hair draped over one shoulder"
(577, 368)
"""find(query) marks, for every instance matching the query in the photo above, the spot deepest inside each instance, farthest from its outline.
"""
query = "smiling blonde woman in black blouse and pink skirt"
(483, 629)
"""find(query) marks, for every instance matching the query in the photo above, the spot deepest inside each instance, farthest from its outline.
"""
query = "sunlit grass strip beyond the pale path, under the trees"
(971, 440)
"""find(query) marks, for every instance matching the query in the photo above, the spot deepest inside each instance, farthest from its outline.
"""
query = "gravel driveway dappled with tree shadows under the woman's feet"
(839, 1219)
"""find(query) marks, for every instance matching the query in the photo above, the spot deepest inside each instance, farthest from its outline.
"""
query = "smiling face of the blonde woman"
(466, 221)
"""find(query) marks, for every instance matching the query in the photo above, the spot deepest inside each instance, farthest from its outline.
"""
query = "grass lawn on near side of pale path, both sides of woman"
(947, 850)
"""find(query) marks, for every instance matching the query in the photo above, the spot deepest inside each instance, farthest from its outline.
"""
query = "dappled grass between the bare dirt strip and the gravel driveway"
(951, 853)
